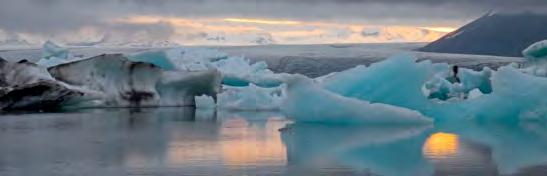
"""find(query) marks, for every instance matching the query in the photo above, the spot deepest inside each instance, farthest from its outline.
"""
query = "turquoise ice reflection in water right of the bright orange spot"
(515, 147)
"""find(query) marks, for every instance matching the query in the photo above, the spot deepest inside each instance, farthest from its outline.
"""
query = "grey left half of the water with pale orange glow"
(167, 141)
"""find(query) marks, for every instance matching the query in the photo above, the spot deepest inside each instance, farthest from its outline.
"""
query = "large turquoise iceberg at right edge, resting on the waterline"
(514, 95)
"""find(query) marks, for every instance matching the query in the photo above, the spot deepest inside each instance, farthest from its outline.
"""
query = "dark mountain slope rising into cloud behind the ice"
(494, 34)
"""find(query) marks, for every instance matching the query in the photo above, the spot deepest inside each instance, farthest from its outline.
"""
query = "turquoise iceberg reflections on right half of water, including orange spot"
(467, 148)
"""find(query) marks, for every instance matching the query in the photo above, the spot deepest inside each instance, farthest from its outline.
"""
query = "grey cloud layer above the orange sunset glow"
(50, 17)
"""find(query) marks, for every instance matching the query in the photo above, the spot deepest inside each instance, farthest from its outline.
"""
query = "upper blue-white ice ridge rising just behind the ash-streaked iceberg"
(236, 71)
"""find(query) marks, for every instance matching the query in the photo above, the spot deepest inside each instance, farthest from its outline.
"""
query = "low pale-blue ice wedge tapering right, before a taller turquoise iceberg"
(306, 102)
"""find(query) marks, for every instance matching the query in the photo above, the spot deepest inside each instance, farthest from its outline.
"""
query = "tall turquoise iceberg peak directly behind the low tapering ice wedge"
(396, 81)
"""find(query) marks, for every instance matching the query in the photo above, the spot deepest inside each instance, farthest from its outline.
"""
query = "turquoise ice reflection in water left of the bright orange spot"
(363, 149)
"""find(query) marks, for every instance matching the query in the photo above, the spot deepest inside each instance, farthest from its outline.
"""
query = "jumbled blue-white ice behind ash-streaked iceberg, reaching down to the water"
(246, 86)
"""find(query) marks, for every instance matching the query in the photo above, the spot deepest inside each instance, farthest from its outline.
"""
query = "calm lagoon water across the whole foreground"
(178, 141)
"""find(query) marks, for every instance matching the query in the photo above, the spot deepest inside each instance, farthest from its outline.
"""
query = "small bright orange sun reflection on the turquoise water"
(441, 145)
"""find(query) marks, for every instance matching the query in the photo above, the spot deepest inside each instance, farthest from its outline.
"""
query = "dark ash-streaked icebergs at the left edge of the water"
(102, 81)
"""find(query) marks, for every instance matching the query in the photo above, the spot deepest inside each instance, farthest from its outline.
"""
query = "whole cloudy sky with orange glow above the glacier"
(241, 22)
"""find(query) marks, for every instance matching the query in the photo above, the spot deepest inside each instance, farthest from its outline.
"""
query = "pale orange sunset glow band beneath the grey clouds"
(248, 31)
